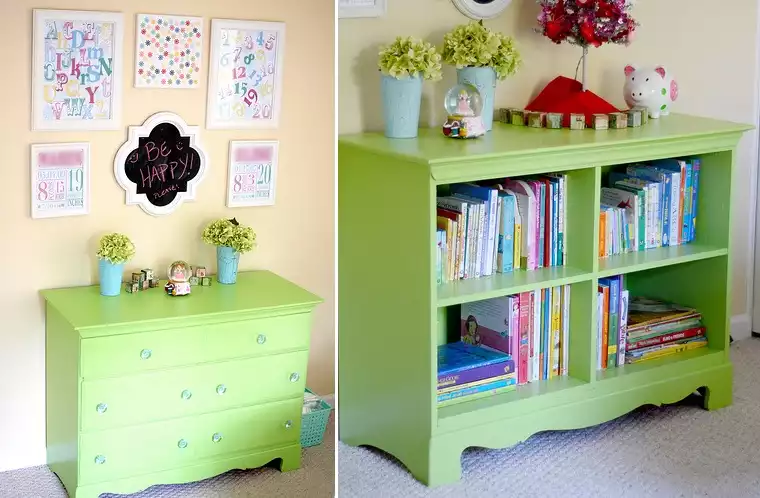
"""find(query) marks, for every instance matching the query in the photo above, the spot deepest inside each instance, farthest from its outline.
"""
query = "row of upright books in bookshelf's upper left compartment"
(490, 228)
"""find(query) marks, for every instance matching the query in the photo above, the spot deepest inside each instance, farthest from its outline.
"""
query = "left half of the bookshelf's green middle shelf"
(504, 284)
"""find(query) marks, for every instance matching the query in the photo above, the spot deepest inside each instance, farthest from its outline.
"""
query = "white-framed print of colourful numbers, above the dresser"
(245, 74)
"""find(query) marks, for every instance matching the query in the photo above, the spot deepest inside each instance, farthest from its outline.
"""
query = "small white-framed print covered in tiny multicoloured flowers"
(156, 67)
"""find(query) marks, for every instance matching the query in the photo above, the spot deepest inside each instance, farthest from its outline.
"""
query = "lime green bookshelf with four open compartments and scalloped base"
(392, 314)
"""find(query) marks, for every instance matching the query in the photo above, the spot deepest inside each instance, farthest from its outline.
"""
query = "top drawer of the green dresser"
(133, 353)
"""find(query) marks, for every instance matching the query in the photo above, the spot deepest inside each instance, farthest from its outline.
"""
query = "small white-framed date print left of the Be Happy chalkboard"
(56, 169)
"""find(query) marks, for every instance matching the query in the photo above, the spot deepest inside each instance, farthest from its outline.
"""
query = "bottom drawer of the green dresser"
(136, 450)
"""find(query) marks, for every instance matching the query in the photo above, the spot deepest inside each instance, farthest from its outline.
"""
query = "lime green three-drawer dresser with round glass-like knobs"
(145, 388)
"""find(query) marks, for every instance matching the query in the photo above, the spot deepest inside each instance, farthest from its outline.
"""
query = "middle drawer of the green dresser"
(179, 392)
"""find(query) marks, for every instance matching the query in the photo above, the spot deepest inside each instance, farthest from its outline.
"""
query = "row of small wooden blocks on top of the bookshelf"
(631, 118)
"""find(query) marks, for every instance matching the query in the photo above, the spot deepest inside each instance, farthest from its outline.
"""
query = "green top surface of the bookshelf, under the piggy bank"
(431, 146)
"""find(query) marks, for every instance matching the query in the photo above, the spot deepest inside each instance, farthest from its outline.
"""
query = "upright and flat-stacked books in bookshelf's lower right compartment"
(631, 329)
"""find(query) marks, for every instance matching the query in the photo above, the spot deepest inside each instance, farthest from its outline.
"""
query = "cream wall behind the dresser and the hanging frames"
(295, 236)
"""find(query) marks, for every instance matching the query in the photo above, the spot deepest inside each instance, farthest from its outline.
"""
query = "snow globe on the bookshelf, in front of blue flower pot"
(464, 107)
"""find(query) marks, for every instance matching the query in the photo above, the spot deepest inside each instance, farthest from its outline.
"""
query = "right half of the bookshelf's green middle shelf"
(655, 258)
